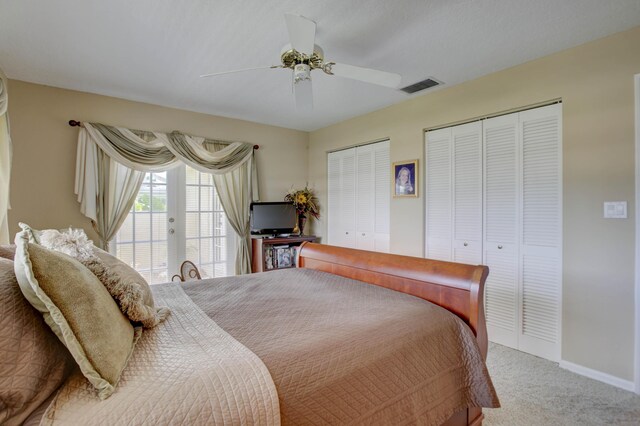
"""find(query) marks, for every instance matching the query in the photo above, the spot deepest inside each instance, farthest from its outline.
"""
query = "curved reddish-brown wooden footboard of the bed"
(456, 287)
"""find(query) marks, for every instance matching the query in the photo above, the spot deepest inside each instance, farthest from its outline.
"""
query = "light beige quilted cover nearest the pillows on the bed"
(188, 370)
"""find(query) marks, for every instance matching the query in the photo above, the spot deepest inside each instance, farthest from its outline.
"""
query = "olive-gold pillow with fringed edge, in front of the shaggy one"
(78, 309)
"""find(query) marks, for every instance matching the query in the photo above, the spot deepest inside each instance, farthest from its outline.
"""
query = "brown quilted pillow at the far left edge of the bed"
(33, 362)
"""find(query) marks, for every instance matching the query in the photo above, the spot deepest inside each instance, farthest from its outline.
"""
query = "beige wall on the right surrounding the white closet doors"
(595, 83)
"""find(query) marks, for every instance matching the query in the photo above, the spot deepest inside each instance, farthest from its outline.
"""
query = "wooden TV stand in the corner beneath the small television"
(262, 248)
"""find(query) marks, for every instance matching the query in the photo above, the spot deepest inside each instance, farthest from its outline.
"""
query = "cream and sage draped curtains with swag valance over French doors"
(112, 161)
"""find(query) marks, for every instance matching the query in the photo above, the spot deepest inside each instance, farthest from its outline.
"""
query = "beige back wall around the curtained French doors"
(44, 148)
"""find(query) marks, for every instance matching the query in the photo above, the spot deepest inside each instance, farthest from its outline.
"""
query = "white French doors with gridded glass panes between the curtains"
(177, 216)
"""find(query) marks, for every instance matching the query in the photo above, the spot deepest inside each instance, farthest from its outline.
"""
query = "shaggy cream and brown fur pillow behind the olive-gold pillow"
(127, 294)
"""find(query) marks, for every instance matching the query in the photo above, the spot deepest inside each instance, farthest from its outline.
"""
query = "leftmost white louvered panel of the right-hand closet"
(438, 227)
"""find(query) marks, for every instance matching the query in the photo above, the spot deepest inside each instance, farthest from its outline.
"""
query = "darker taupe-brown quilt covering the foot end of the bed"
(345, 352)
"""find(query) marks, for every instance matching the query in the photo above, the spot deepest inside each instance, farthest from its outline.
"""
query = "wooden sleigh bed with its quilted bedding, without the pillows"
(315, 345)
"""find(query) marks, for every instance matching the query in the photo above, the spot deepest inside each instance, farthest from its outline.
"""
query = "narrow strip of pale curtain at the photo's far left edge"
(5, 160)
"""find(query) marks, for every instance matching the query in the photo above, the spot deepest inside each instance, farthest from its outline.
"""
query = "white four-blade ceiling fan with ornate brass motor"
(303, 56)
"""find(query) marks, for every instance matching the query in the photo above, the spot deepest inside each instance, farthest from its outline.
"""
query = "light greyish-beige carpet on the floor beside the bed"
(534, 391)
